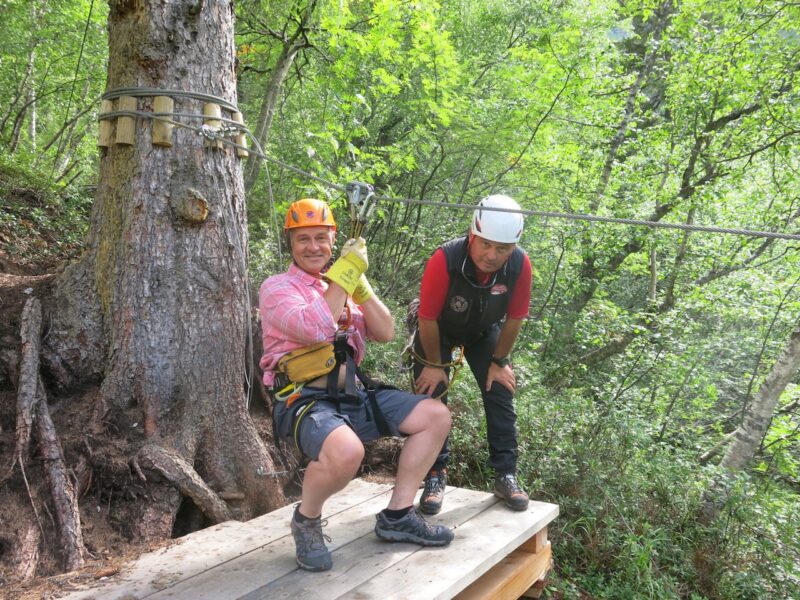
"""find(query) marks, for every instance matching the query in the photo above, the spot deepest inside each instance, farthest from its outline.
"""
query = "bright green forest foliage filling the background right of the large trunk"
(453, 100)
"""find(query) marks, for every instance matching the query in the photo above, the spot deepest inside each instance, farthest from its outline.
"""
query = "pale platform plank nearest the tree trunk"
(207, 548)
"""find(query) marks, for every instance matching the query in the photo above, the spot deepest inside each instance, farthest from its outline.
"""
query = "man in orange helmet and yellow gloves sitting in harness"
(328, 418)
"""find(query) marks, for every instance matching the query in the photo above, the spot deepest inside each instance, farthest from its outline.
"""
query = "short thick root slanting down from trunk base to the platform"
(181, 474)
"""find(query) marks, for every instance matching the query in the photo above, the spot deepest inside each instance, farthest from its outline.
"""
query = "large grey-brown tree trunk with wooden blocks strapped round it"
(158, 306)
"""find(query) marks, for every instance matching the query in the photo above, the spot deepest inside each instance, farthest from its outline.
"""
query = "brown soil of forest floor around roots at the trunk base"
(104, 491)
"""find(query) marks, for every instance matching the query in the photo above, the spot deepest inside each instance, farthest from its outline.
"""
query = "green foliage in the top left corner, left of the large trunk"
(52, 73)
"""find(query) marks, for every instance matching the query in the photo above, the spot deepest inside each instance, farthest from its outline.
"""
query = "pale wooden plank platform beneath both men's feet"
(496, 554)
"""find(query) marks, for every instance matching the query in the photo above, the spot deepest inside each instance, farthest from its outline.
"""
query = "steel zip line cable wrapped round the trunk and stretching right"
(236, 127)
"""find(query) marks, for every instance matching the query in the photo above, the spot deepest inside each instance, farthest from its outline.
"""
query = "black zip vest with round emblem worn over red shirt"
(470, 308)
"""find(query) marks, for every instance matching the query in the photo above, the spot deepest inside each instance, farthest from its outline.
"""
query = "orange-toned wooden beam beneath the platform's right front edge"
(511, 577)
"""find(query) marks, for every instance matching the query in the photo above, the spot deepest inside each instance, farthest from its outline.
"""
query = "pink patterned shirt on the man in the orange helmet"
(294, 314)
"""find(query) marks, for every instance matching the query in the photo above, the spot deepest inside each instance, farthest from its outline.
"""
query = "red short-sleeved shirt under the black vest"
(436, 282)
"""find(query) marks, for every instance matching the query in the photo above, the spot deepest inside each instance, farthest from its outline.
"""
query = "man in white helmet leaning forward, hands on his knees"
(475, 293)
